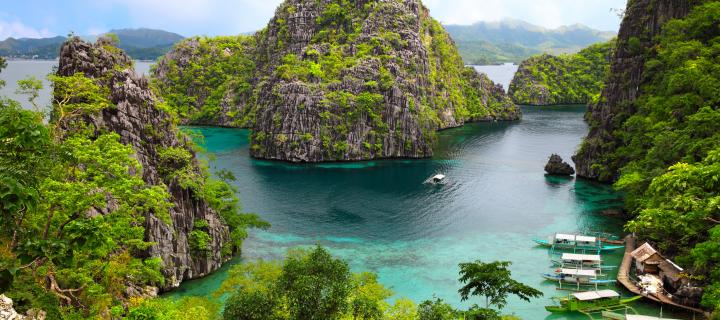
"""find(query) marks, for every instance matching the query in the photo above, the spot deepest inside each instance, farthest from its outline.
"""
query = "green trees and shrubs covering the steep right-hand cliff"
(672, 145)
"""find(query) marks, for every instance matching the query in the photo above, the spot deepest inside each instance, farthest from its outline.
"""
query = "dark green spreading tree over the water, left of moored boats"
(494, 282)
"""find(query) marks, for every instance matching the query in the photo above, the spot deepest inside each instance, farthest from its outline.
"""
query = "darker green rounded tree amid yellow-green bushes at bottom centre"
(317, 285)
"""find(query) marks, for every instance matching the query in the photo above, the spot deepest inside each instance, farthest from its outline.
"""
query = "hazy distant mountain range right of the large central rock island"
(513, 40)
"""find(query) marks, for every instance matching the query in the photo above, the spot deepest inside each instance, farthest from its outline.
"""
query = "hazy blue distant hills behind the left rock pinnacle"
(142, 44)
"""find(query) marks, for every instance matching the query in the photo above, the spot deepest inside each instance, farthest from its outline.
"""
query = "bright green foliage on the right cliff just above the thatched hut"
(683, 205)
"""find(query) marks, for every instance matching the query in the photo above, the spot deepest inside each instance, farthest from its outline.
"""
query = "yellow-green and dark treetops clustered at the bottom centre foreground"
(309, 284)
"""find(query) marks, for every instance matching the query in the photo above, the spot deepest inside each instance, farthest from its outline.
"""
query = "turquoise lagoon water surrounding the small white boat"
(380, 217)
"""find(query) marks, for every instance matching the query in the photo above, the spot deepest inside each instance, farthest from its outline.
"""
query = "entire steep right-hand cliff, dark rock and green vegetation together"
(666, 141)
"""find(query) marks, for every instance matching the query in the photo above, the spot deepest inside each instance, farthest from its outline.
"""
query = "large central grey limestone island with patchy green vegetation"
(356, 80)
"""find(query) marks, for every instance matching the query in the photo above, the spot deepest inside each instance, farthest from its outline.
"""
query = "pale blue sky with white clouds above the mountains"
(41, 18)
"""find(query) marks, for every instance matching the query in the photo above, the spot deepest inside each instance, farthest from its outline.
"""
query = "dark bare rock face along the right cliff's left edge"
(642, 23)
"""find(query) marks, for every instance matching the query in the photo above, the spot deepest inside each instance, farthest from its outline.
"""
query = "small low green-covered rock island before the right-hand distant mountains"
(566, 79)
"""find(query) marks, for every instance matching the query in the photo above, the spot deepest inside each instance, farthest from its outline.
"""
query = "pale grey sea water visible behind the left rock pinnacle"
(21, 69)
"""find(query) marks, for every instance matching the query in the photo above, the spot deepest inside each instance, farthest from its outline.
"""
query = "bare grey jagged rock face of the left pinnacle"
(144, 125)
